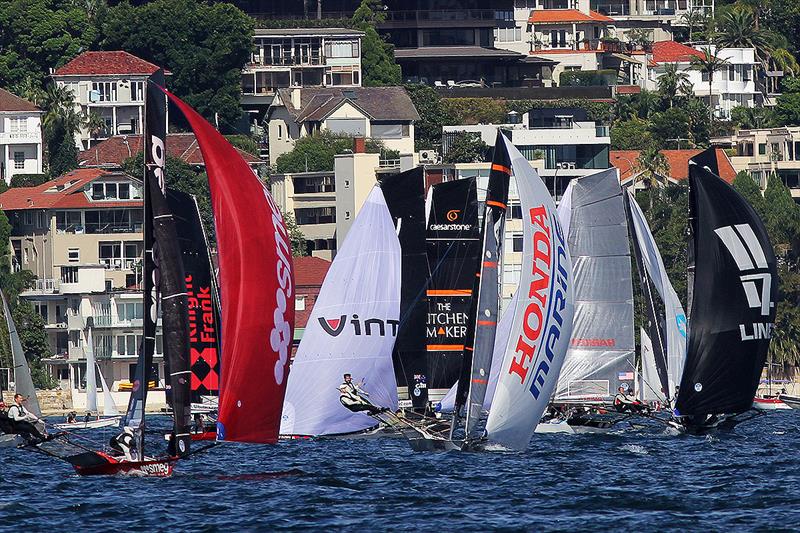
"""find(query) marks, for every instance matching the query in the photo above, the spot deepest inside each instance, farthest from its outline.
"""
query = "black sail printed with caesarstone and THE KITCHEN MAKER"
(453, 250)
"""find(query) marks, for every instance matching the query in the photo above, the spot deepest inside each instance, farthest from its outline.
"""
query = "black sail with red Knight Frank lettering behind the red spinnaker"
(202, 294)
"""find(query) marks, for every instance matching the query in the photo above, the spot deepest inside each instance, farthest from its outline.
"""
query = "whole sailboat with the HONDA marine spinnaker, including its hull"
(539, 333)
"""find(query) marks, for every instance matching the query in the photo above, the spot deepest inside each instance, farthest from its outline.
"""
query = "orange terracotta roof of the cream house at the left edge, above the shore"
(65, 192)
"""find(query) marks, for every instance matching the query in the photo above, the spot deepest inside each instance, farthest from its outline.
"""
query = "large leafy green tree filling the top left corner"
(37, 35)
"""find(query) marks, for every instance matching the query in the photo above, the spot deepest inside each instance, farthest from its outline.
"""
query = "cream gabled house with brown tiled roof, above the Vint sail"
(385, 114)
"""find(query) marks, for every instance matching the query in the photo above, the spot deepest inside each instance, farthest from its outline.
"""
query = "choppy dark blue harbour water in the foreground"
(629, 482)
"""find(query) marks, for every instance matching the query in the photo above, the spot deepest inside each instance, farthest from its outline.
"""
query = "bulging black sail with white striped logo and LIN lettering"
(733, 299)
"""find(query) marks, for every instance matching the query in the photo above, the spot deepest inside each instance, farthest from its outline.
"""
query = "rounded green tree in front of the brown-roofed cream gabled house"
(316, 153)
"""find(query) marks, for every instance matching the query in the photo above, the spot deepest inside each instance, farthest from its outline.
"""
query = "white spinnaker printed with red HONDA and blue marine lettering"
(542, 323)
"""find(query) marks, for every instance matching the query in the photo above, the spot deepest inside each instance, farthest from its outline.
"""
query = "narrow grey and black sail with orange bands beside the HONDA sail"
(482, 327)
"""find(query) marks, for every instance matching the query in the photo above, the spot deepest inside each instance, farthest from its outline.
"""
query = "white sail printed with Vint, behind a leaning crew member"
(352, 329)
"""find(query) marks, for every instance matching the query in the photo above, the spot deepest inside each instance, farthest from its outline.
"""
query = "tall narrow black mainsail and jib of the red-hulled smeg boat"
(164, 276)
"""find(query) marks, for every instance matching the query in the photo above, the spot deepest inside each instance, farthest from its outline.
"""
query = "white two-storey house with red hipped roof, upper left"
(110, 84)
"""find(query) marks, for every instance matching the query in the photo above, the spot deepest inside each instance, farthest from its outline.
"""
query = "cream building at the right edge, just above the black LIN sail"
(766, 151)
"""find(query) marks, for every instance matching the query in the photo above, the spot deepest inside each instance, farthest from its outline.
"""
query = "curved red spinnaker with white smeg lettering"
(257, 290)
